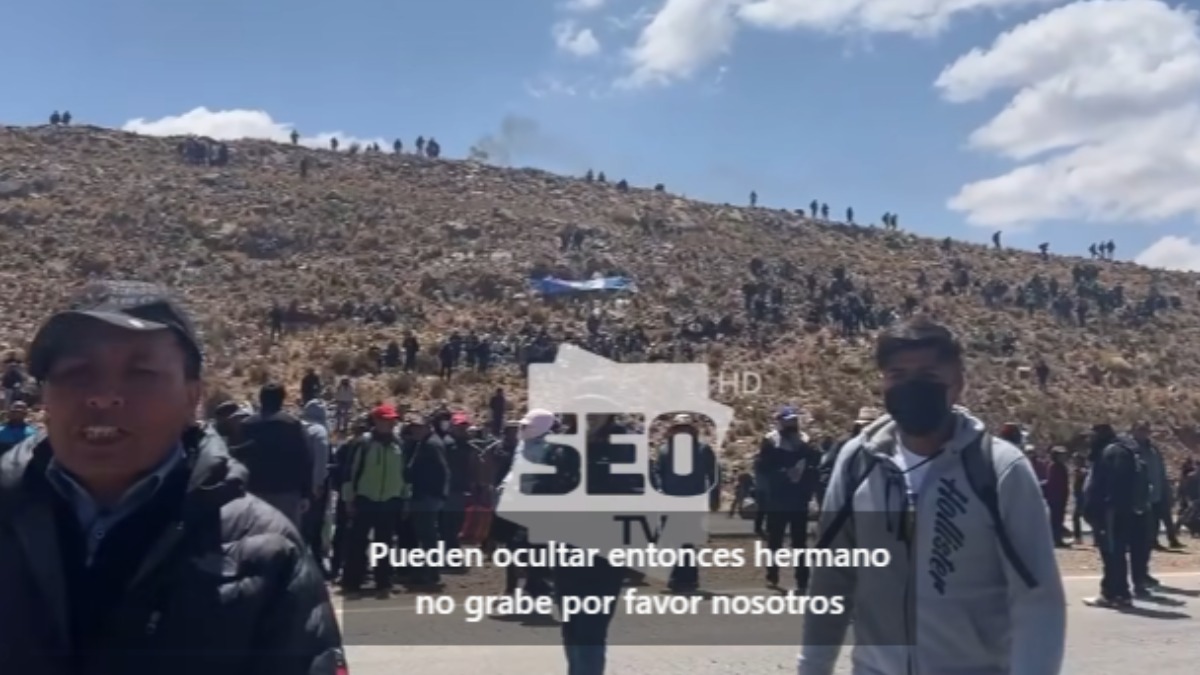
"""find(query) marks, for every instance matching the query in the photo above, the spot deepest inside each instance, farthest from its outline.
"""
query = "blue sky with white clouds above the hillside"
(1051, 121)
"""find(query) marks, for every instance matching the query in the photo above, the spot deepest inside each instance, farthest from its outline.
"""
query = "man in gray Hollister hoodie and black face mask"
(963, 594)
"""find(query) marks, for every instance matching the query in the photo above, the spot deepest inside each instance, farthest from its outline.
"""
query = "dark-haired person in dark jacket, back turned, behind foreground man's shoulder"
(277, 452)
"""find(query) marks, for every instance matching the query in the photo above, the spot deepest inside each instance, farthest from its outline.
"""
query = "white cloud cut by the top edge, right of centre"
(687, 35)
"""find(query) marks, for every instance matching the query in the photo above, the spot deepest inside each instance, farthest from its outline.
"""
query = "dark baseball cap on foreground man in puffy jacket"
(131, 306)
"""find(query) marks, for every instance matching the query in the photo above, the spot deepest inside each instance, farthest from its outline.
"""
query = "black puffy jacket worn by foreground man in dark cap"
(225, 586)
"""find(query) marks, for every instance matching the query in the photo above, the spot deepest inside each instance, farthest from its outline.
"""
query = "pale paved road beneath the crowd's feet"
(1161, 638)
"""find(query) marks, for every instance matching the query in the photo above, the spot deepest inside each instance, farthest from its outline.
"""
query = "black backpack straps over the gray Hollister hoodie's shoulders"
(981, 471)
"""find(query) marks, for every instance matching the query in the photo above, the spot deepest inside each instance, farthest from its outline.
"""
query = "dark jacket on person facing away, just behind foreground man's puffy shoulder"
(278, 455)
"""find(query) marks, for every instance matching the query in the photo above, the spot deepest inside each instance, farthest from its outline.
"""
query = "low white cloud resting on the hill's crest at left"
(233, 126)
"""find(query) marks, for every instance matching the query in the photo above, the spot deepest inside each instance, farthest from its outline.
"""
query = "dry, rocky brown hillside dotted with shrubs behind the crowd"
(451, 244)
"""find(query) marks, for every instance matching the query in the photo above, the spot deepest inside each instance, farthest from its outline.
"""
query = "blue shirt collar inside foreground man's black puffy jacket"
(98, 522)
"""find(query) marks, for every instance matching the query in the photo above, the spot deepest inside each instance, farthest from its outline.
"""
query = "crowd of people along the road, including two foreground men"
(218, 539)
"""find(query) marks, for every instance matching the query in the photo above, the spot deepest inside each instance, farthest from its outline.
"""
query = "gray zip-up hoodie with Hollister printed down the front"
(974, 613)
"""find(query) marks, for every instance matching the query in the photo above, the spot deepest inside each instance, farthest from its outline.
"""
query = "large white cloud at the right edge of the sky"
(1107, 93)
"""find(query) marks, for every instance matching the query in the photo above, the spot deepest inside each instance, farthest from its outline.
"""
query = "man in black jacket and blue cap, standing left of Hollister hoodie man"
(790, 465)
